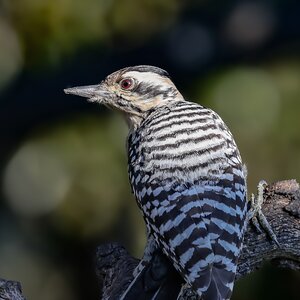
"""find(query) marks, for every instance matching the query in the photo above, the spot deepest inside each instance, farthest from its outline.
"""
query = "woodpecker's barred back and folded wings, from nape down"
(187, 175)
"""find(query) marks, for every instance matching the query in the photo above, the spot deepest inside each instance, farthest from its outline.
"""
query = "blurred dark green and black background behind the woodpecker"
(64, 186)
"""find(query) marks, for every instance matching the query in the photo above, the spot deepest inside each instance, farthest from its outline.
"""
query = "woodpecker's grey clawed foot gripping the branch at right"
(256, 215)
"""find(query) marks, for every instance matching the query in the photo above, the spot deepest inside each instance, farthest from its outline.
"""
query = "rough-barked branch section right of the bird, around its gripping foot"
(282, 210)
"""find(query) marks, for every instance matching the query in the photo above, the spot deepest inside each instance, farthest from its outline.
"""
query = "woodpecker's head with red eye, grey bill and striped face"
(133, 91)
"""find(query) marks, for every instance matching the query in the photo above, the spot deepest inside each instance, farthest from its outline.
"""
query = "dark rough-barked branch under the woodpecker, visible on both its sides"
(281, 207)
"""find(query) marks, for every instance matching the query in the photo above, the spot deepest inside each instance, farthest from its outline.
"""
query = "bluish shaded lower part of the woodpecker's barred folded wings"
(199, 227)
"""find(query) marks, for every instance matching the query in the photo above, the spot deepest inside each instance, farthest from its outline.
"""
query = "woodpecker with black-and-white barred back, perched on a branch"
(186, 173)
